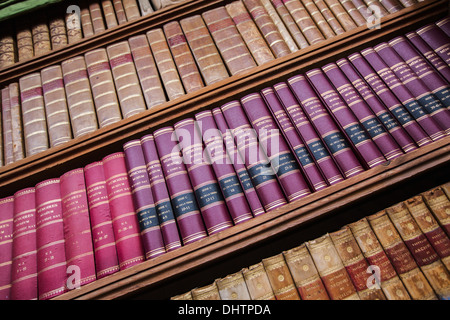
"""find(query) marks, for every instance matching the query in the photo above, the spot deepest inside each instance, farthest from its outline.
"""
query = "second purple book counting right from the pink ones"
(164, 210)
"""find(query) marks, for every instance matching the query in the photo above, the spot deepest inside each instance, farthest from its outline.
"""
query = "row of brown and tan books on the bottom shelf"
(400, 253)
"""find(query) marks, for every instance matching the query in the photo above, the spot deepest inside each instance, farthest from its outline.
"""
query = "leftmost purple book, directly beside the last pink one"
(143, 199)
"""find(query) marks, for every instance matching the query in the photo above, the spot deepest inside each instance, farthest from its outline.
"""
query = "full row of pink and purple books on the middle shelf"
(222, 167)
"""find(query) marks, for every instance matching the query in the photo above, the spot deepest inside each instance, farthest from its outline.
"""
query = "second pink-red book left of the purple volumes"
(105, 252)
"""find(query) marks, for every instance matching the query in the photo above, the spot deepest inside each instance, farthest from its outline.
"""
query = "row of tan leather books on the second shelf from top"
(105, 85)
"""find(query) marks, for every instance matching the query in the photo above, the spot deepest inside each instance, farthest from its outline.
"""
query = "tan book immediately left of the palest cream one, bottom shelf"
(305, 274)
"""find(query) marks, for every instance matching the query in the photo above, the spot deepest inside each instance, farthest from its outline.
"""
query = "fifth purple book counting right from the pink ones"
(227, 178)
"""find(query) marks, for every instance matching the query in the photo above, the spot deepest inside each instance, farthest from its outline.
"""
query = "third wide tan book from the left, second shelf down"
(79, 97)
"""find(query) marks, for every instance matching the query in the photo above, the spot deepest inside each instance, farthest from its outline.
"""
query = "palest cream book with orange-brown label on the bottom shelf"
(331, 270)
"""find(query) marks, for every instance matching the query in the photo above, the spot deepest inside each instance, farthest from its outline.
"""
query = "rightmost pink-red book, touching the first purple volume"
(129, 245)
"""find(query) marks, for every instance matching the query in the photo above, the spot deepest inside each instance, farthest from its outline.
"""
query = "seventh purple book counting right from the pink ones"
(258, 166)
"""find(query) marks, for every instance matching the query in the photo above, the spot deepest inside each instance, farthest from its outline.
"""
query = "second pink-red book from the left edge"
(24, 279)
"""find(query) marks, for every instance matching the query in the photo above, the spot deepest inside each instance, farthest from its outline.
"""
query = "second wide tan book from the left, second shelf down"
(57, 112)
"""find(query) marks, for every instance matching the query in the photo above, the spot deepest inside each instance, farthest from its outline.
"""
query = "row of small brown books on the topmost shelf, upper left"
(34, 34)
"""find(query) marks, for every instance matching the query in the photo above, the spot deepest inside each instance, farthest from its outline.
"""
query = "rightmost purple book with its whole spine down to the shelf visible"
(403, 94)
